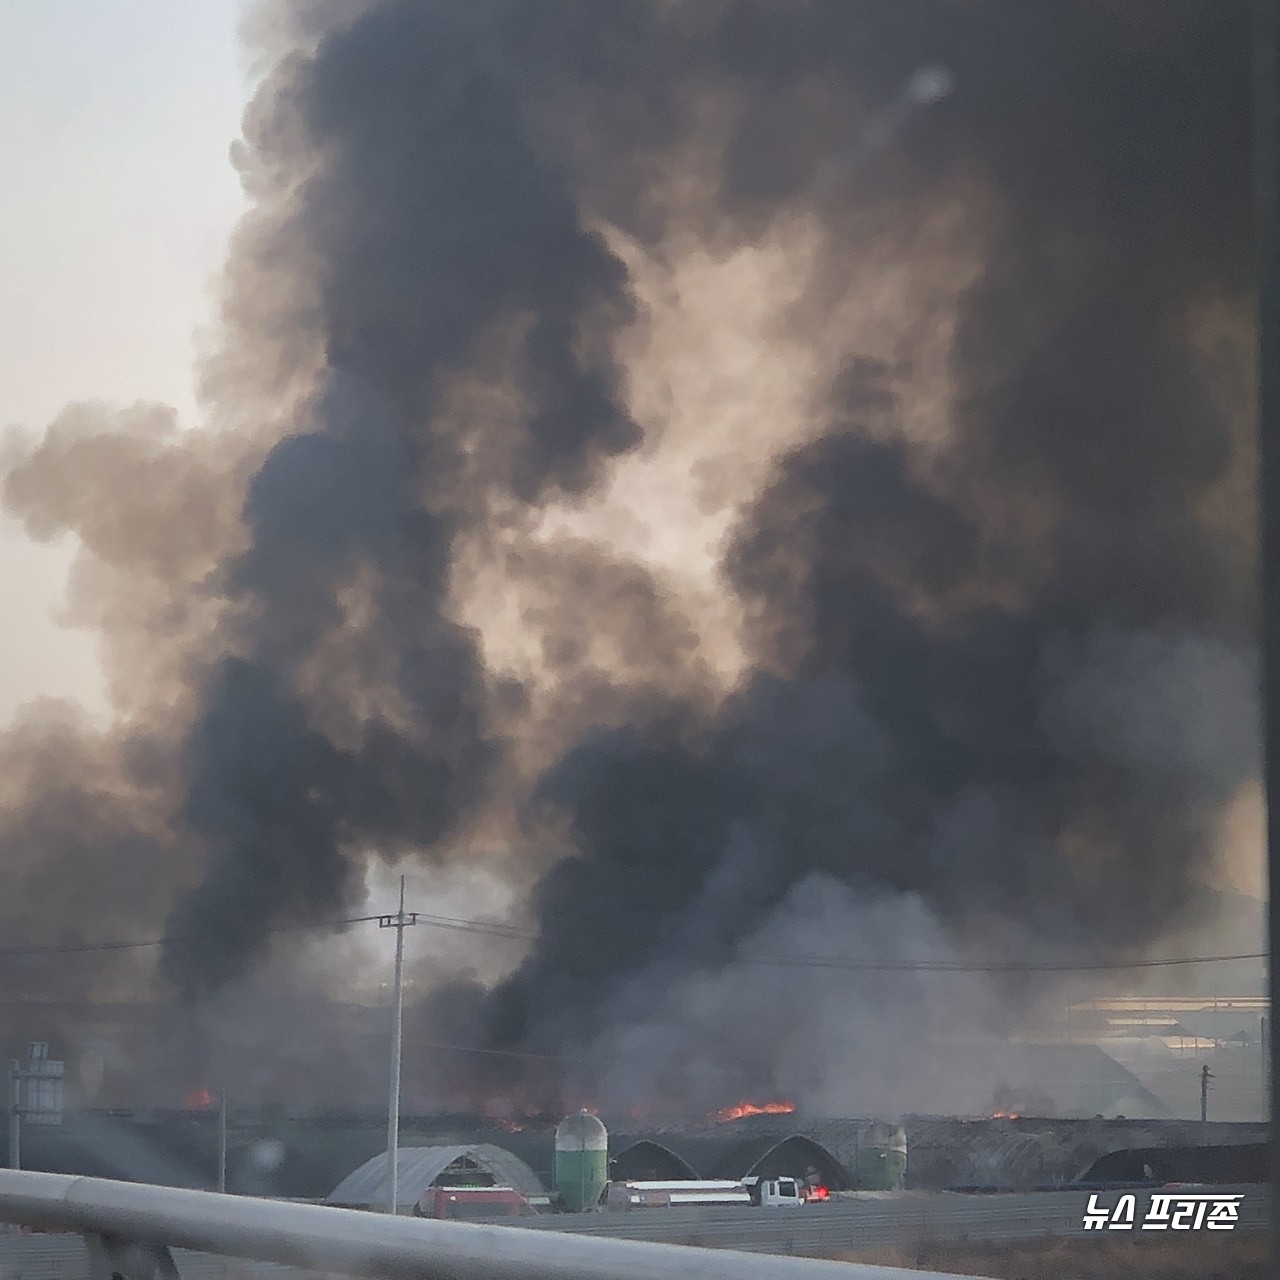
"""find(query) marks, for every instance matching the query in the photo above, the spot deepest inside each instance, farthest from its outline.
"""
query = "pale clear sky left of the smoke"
(120, 198)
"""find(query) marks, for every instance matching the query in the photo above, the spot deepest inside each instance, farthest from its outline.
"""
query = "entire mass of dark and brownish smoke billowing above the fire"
(998, 685)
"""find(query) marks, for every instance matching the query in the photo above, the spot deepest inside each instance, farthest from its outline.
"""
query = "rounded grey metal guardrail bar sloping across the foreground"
(349, 1242)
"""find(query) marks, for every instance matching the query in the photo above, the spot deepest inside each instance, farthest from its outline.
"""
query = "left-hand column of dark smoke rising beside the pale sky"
(395, 164)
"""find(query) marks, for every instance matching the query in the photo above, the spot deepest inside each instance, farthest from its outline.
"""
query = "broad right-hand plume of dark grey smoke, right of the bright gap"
(1011, 676)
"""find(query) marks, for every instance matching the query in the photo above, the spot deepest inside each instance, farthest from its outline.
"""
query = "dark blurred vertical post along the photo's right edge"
(1267, 138)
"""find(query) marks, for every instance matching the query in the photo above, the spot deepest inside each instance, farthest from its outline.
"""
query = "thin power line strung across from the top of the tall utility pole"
(851, 964)
